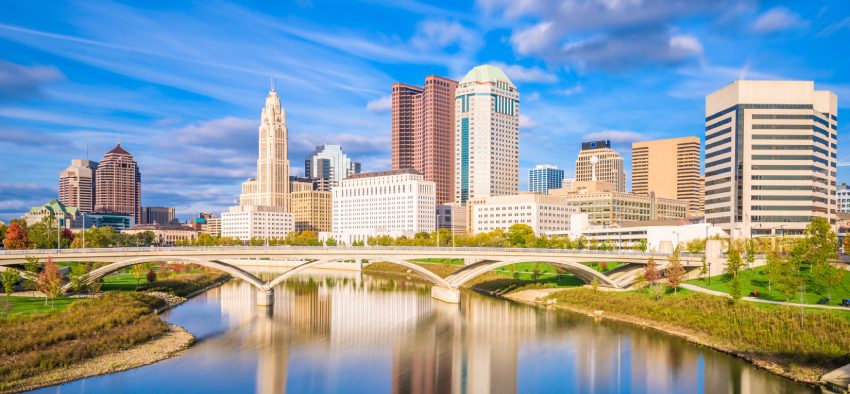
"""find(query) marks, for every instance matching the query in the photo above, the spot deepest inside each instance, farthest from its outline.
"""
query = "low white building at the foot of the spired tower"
(252, 221)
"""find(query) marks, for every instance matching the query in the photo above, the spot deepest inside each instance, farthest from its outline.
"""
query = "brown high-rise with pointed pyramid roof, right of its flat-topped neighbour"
(119, 184)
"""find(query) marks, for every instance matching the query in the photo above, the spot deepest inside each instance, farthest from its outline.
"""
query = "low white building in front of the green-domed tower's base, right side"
(545, 214)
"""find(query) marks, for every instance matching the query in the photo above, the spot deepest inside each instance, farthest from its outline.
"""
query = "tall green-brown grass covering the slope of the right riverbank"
(773, 338)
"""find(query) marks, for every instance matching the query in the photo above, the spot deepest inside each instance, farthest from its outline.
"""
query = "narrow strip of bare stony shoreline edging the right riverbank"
(536, 297)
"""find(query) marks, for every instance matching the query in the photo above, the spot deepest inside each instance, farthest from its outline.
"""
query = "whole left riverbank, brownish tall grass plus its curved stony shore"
(111, 342)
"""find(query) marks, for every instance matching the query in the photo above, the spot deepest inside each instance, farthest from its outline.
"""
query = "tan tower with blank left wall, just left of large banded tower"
(670, 168)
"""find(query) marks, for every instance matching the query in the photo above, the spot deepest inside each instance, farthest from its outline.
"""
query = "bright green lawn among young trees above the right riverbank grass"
(756, 278)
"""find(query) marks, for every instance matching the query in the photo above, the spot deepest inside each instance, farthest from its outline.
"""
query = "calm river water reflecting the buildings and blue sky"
(332, 332)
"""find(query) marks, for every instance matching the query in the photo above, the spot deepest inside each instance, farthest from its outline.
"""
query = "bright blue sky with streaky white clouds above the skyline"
(184, 81)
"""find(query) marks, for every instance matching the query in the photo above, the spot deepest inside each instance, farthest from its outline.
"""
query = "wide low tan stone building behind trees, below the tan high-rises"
(605, 206)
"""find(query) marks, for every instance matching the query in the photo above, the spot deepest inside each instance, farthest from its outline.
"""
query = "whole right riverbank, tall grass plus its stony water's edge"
(805, 365)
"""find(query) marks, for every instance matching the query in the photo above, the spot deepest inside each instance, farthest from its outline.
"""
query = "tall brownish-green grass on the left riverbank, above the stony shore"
(88, 328)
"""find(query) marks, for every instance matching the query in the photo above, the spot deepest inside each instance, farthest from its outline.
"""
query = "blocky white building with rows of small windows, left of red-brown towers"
(395, 203)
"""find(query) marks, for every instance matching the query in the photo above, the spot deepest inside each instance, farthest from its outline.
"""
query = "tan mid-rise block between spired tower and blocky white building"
(311, 209)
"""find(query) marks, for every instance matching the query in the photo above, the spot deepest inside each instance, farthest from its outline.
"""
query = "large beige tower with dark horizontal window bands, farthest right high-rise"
(770, 157)
